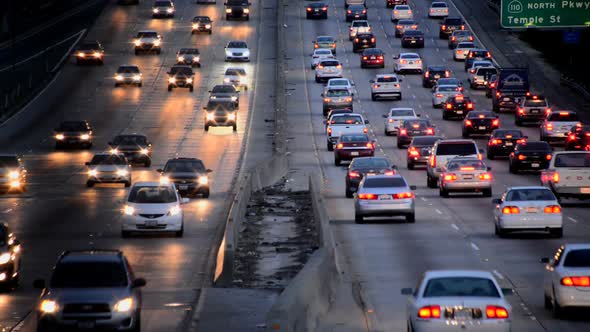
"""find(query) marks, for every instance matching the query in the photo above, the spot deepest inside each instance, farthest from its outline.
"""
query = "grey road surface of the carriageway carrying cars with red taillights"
(455, 232)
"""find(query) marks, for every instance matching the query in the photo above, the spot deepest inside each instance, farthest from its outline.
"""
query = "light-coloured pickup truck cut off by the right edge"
(568, 174)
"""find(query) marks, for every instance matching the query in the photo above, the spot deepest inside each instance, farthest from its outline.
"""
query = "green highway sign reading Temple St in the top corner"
(545, 13)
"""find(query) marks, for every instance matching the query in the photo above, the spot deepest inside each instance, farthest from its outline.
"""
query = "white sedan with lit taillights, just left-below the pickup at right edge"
(528, 208)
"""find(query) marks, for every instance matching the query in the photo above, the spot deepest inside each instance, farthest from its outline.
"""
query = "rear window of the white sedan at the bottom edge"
(461, 286)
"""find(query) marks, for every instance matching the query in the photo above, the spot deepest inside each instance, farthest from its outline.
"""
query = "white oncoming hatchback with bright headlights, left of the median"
(153, 207)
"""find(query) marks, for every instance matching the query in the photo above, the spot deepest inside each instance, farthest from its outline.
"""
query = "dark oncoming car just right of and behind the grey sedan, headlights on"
(135, 147)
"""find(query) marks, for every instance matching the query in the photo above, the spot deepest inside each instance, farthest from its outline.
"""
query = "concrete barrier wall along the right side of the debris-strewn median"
(309, 295)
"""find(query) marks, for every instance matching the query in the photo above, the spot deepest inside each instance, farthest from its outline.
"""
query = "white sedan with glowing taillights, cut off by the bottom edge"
(458, 300)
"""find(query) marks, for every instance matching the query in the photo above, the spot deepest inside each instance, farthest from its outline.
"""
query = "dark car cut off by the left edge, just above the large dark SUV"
(10, 257)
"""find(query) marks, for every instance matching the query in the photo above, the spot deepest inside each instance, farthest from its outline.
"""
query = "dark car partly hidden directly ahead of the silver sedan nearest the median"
(360, 167)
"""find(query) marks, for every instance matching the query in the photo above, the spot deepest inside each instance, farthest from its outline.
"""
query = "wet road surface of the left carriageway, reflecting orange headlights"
(58, 212)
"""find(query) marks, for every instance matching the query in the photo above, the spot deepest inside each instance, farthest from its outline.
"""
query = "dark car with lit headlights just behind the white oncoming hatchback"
(189, 175)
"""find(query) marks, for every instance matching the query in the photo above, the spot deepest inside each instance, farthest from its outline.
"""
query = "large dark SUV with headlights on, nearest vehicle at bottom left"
(90, 290)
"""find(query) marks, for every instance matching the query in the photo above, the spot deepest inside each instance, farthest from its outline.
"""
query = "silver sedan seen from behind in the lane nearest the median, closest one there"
(384, 196)
